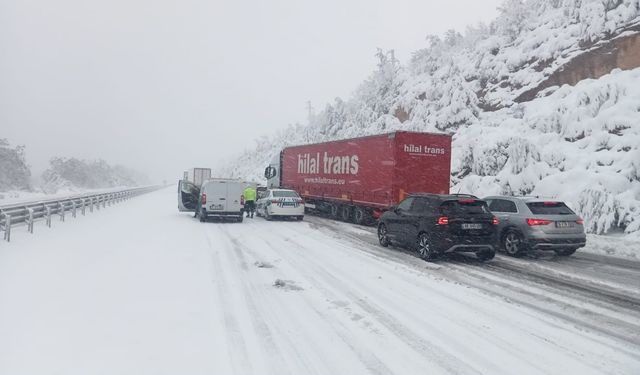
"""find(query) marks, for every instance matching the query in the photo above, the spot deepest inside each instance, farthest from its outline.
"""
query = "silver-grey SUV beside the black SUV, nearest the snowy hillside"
(534, 223)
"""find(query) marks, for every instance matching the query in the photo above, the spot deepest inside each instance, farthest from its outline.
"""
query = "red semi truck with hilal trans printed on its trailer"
(358, 179)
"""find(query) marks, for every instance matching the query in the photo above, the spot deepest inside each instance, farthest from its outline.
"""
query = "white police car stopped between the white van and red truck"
(280, 203)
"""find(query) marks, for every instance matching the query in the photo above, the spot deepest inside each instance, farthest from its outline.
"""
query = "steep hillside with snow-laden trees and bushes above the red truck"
(579, 143)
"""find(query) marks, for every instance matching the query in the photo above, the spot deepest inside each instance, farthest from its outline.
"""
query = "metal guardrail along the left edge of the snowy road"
(28, 212)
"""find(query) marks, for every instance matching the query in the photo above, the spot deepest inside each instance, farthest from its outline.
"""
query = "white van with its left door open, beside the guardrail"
(216, 197)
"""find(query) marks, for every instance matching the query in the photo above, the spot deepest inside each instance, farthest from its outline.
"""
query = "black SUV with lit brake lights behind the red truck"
(435, 224)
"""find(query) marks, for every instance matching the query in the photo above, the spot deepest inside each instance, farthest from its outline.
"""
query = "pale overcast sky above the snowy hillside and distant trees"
(165, 85)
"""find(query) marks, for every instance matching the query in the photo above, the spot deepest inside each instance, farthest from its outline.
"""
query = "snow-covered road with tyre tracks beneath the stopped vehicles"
(141, 289)
